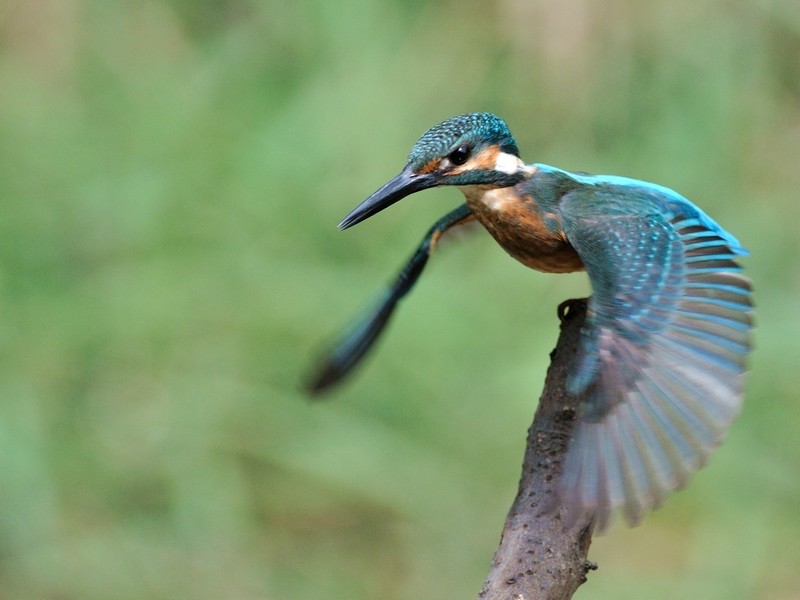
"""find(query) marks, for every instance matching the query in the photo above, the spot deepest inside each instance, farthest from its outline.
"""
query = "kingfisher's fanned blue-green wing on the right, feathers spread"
(661, 363)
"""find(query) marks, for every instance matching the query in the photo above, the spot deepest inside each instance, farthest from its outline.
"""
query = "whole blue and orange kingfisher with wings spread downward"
(659, 370)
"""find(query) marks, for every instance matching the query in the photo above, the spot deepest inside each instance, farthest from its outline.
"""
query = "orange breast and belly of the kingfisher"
(532, 236)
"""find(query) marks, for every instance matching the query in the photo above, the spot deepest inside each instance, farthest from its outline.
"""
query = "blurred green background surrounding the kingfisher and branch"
(171, 176)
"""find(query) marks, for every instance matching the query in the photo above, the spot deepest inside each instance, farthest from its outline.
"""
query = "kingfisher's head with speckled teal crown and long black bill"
(472, 149)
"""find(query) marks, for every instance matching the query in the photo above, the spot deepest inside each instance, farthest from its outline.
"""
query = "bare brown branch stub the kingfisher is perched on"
(538, 558)
